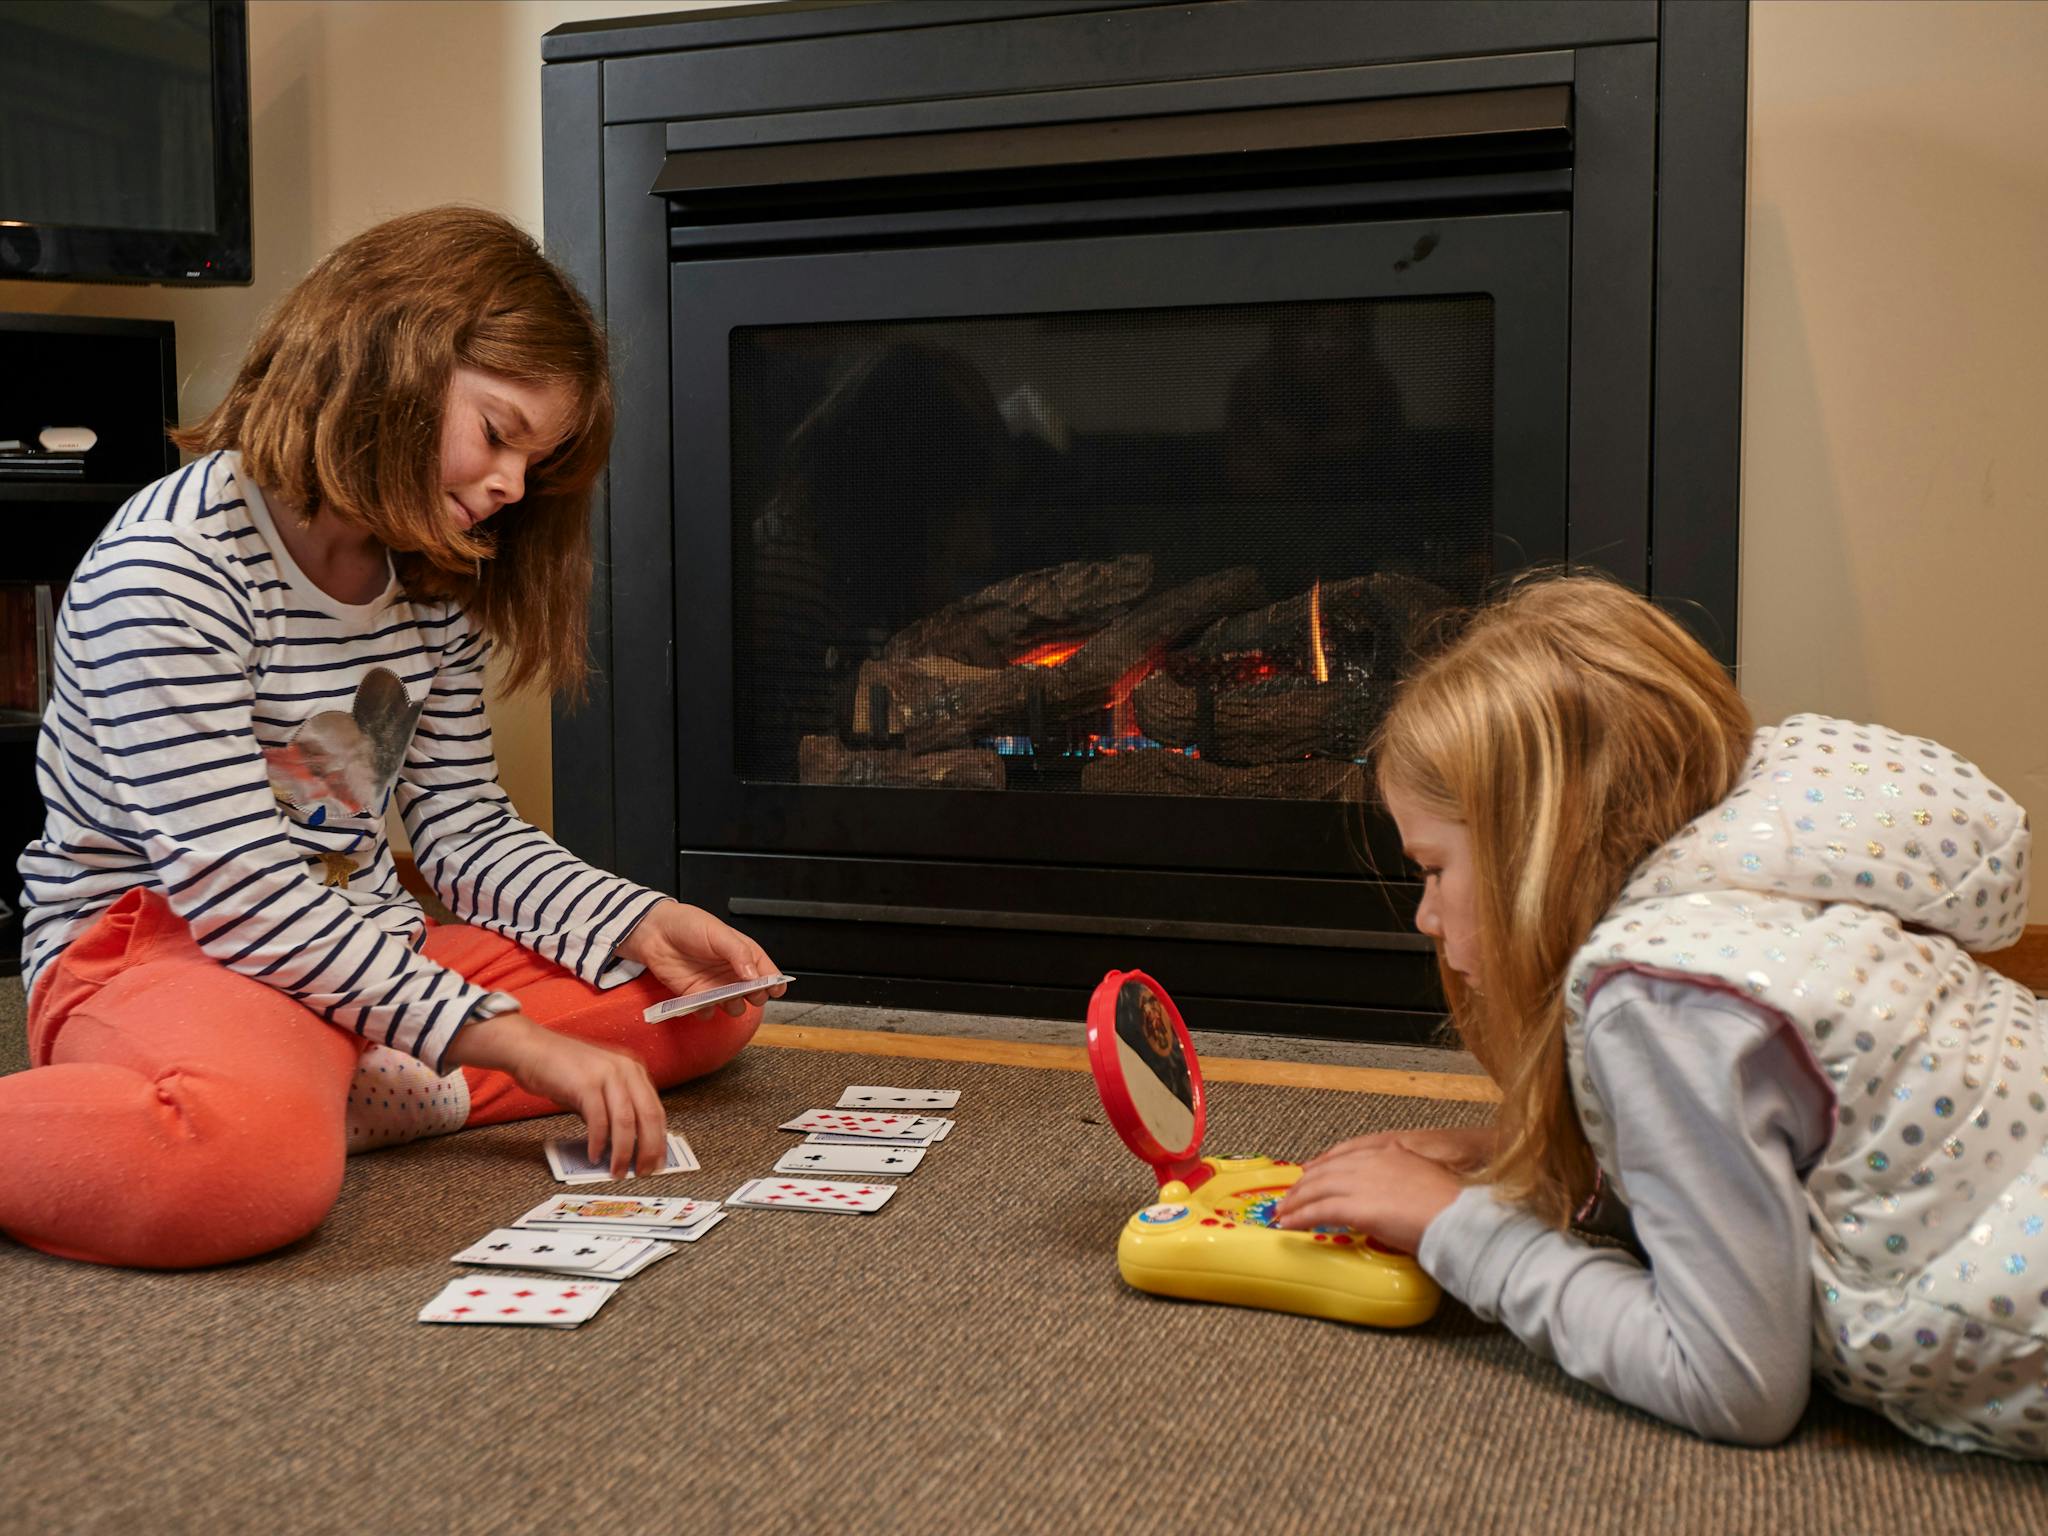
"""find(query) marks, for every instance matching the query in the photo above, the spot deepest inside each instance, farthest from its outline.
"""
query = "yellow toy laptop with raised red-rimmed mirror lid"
(1211, 1234)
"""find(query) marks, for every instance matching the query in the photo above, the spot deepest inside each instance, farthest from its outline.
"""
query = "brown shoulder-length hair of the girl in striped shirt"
(339, 411)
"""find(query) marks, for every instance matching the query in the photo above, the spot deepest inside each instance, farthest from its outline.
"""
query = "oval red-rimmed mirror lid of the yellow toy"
(1148, 1076)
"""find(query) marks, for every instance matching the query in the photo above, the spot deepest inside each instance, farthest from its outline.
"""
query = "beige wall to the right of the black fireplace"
(1895, 415)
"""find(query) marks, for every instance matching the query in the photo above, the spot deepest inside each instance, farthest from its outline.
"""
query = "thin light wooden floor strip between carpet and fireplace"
(1463, 1089)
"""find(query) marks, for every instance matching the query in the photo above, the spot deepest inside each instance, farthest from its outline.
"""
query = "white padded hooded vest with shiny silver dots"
(1844, 886)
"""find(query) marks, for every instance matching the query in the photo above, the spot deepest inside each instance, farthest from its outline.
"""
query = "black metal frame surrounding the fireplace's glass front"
(1656, 191)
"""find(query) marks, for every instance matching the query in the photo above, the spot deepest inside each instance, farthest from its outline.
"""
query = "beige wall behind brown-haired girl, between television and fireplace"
(364, 110)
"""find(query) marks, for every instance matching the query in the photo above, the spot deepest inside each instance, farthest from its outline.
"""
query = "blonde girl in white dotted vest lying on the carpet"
(1725, 984)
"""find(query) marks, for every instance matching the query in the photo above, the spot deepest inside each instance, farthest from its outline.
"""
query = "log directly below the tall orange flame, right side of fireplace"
(1269, 722)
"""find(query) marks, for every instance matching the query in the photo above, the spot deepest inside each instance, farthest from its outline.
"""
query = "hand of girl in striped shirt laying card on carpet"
(609, 1089)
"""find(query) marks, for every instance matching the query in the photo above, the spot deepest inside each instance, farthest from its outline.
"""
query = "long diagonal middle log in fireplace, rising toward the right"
(1084, 681)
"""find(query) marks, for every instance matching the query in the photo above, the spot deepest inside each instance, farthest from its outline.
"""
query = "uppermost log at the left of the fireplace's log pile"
(1000, 624)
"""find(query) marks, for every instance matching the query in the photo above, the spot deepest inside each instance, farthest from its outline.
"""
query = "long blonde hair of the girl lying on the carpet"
(1572, 728)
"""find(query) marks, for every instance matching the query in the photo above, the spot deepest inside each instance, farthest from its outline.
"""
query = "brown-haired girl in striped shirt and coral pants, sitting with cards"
(228, 986)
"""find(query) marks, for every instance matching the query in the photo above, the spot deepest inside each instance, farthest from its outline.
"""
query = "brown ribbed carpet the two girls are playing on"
(968, 1361)
